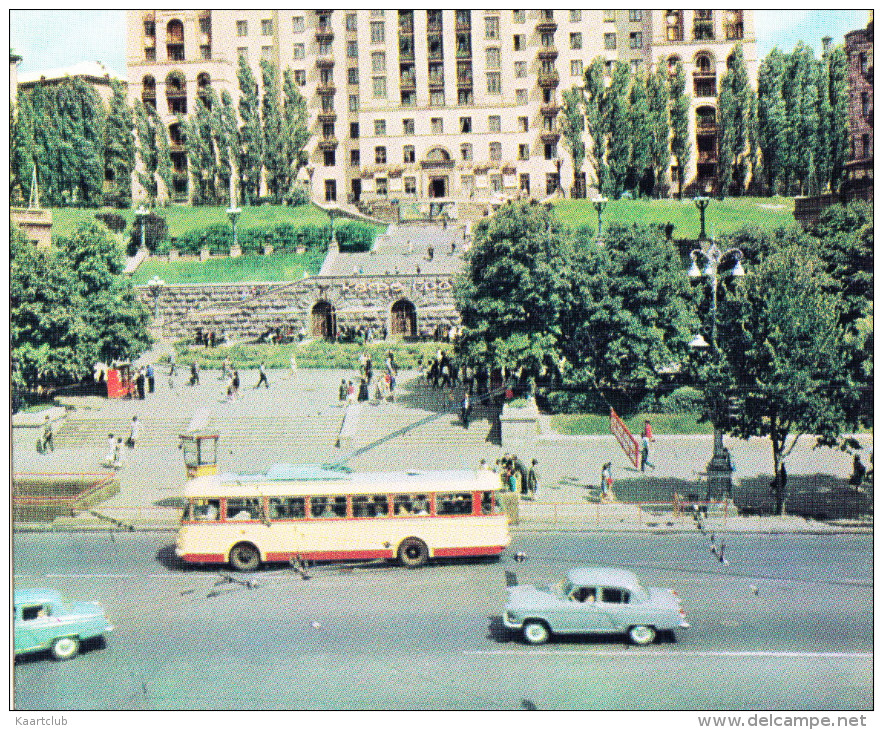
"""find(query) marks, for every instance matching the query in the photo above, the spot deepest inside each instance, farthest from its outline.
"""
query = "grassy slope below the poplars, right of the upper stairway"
(721, 216)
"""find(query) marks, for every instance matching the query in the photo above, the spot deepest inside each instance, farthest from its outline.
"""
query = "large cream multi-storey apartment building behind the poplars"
(426, 104)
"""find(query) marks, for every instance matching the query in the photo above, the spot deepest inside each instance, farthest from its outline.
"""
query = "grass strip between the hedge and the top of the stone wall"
(248, 267)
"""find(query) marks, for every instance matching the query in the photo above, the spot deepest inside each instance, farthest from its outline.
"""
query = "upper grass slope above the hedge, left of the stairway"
(181, 219)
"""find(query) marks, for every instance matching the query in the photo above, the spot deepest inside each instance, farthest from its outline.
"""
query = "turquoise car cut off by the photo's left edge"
(44, 620)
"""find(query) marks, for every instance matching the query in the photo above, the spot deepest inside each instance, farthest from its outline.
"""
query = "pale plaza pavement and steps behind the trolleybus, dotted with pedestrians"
(298, 420)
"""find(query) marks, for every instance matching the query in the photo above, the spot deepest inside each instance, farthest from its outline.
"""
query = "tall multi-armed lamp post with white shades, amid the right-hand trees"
(719, 469)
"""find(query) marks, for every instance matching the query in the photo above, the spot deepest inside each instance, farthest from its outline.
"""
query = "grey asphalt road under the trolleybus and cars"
(389, 638)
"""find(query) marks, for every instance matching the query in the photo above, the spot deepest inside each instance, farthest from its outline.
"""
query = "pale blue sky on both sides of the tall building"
(48, 39)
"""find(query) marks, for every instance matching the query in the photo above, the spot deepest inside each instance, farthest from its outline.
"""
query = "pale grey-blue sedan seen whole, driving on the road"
(594, 600)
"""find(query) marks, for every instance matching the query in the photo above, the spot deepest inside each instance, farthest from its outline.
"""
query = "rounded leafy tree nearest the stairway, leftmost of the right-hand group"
(513, 291)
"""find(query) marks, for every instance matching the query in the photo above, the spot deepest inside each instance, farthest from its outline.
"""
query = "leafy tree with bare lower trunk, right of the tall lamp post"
(782, 360)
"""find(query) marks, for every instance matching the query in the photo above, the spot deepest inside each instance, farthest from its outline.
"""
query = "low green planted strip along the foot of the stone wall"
(317, 354)
